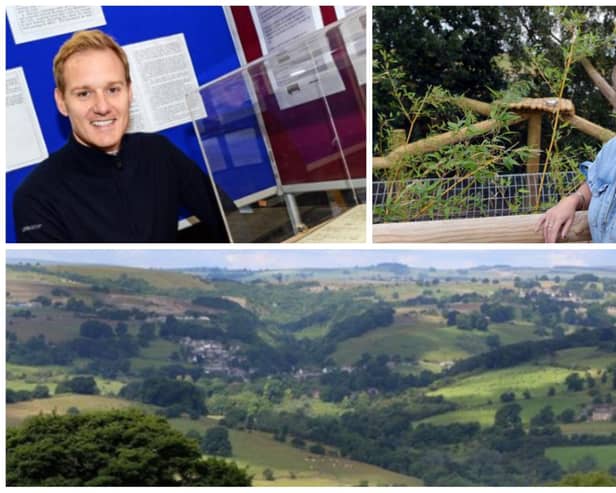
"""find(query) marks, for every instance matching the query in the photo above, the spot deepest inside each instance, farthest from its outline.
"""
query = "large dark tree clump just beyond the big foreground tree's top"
(176, 396)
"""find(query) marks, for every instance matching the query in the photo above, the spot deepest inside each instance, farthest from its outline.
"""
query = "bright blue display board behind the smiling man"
(212, 52)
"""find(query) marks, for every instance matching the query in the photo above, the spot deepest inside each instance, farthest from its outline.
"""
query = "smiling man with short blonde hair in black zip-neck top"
(106, 185)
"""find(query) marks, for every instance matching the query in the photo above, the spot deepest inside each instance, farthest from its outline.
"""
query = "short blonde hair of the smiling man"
(82, 41)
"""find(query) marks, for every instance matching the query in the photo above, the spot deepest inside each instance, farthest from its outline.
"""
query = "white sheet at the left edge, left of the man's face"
(24, 140)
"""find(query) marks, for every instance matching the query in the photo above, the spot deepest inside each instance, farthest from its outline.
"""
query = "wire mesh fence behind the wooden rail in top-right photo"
(456, 198)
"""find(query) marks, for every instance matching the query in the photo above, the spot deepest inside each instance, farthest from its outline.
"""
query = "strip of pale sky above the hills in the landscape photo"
(262, 259)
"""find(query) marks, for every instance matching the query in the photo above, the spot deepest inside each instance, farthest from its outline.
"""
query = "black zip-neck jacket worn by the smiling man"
(81, 194)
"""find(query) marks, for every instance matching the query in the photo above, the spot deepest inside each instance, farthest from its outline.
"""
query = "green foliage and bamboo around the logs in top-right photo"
(486, 53)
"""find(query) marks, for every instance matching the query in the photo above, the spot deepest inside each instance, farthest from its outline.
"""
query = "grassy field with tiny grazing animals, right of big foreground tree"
(259, 451)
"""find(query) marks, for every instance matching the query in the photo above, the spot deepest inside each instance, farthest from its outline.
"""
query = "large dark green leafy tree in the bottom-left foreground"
(112, 448)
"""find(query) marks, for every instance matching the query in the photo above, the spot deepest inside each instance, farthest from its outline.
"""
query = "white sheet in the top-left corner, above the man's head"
(29, 23)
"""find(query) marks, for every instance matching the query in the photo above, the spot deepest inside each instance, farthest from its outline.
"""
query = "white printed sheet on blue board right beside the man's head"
(162, 75)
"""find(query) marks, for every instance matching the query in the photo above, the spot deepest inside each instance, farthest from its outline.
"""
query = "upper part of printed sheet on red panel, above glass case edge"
(279, 25)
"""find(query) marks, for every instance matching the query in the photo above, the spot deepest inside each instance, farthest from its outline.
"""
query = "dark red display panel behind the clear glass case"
(320, 140)
